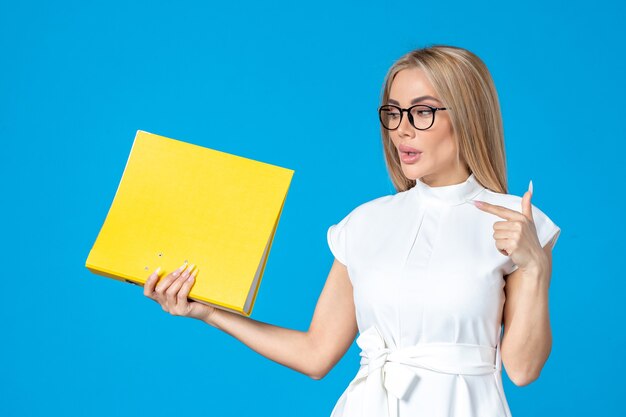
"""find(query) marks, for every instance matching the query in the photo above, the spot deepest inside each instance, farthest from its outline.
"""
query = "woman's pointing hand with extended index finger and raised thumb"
(516, 236)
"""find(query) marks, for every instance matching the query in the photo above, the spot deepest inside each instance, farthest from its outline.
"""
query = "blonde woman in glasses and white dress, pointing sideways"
(423, 274)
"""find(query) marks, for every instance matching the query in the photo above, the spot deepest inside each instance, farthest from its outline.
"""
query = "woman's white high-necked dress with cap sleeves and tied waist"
(429, 295)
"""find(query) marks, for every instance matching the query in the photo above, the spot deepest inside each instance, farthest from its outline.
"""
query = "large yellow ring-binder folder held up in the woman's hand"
(178, 202)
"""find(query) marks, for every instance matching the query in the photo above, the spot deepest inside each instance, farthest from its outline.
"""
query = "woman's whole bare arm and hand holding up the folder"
(313, 353)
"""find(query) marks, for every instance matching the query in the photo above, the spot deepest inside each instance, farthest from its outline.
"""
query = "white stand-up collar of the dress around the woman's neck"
(448, 195)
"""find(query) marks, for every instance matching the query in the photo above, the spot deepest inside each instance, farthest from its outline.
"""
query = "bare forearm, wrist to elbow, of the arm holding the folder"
(288, 347)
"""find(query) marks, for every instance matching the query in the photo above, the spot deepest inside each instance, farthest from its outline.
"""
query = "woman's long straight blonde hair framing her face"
(463, 82)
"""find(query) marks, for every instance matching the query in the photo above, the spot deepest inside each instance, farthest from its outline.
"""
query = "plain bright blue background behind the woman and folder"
(77, 79)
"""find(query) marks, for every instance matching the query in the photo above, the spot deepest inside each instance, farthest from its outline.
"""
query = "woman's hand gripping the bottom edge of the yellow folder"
(172, 291)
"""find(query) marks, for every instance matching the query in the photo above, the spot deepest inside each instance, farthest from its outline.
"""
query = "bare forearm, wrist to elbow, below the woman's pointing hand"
(527, 339)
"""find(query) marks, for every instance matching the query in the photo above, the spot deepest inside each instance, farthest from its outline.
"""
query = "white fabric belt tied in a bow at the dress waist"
(388, 375)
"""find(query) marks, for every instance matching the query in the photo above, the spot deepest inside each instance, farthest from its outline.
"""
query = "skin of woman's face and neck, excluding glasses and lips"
(436, 162)
